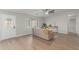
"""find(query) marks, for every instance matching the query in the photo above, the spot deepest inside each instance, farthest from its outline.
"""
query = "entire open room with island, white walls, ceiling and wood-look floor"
(39, 29)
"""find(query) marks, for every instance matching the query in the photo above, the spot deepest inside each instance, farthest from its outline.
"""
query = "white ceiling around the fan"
(36, 12)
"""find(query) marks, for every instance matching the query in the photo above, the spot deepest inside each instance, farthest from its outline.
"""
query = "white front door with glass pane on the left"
(9, 26)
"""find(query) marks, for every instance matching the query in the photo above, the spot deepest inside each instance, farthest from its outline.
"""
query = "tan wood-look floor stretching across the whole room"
(60, 42)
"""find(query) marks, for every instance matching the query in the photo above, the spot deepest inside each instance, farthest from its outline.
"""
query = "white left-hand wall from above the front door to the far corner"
(20, 22)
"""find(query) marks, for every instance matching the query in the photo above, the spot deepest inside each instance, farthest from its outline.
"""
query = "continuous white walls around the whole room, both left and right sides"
(58, 19)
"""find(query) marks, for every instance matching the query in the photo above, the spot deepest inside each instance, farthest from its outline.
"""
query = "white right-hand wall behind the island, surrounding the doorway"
(62, 19)
